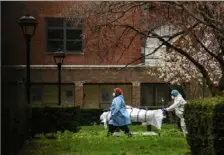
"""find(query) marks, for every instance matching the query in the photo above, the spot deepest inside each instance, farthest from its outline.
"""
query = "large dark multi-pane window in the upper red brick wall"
(65, 35)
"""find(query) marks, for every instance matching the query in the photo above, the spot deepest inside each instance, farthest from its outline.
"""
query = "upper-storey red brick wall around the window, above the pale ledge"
(13, 43)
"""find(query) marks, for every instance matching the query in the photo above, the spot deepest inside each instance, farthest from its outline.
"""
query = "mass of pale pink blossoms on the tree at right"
(178, 69)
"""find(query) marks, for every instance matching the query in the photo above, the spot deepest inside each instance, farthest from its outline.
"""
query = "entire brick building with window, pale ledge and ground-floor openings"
(85, 81)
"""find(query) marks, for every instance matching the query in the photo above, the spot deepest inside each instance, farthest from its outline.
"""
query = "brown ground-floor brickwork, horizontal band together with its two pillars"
(79, 76)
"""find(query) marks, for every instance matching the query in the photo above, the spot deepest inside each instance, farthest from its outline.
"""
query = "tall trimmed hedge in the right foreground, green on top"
(205, 124)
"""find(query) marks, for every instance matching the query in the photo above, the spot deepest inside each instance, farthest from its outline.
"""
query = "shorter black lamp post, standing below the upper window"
(58, 59)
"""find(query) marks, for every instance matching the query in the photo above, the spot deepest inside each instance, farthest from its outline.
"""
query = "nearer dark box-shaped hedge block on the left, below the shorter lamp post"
(53, 119)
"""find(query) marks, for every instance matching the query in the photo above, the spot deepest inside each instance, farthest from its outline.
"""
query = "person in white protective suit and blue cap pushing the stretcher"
(178, 106)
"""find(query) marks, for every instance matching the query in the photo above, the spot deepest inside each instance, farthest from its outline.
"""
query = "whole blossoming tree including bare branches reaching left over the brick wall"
(194, 52)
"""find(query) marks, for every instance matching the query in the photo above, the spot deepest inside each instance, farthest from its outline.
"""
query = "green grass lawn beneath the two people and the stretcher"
(92, 140)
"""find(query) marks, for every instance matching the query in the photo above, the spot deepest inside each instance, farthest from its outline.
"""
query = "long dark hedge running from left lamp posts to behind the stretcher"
(52, 119)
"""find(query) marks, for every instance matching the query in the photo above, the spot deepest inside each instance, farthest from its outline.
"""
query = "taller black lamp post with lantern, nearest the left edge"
(28, 25)
